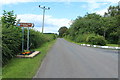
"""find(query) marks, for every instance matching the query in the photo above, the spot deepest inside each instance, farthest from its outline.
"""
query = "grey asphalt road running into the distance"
(69, 60)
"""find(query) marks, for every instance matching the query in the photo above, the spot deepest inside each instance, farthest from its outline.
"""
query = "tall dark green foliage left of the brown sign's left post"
(11, 37)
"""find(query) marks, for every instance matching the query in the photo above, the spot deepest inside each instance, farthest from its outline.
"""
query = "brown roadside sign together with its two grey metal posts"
(25, 25)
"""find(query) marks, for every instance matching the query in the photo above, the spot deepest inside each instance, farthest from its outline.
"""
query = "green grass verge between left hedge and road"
(26, 67)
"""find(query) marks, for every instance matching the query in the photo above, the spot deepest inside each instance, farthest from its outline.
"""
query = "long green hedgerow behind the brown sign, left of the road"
(12, 38)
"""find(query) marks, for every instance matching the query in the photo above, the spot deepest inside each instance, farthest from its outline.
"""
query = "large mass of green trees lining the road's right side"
(103, 27)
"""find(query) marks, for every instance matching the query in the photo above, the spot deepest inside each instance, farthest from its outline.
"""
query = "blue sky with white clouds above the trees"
(61, 12)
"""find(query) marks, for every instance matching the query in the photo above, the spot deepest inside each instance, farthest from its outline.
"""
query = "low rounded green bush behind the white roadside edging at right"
(96, 40)
